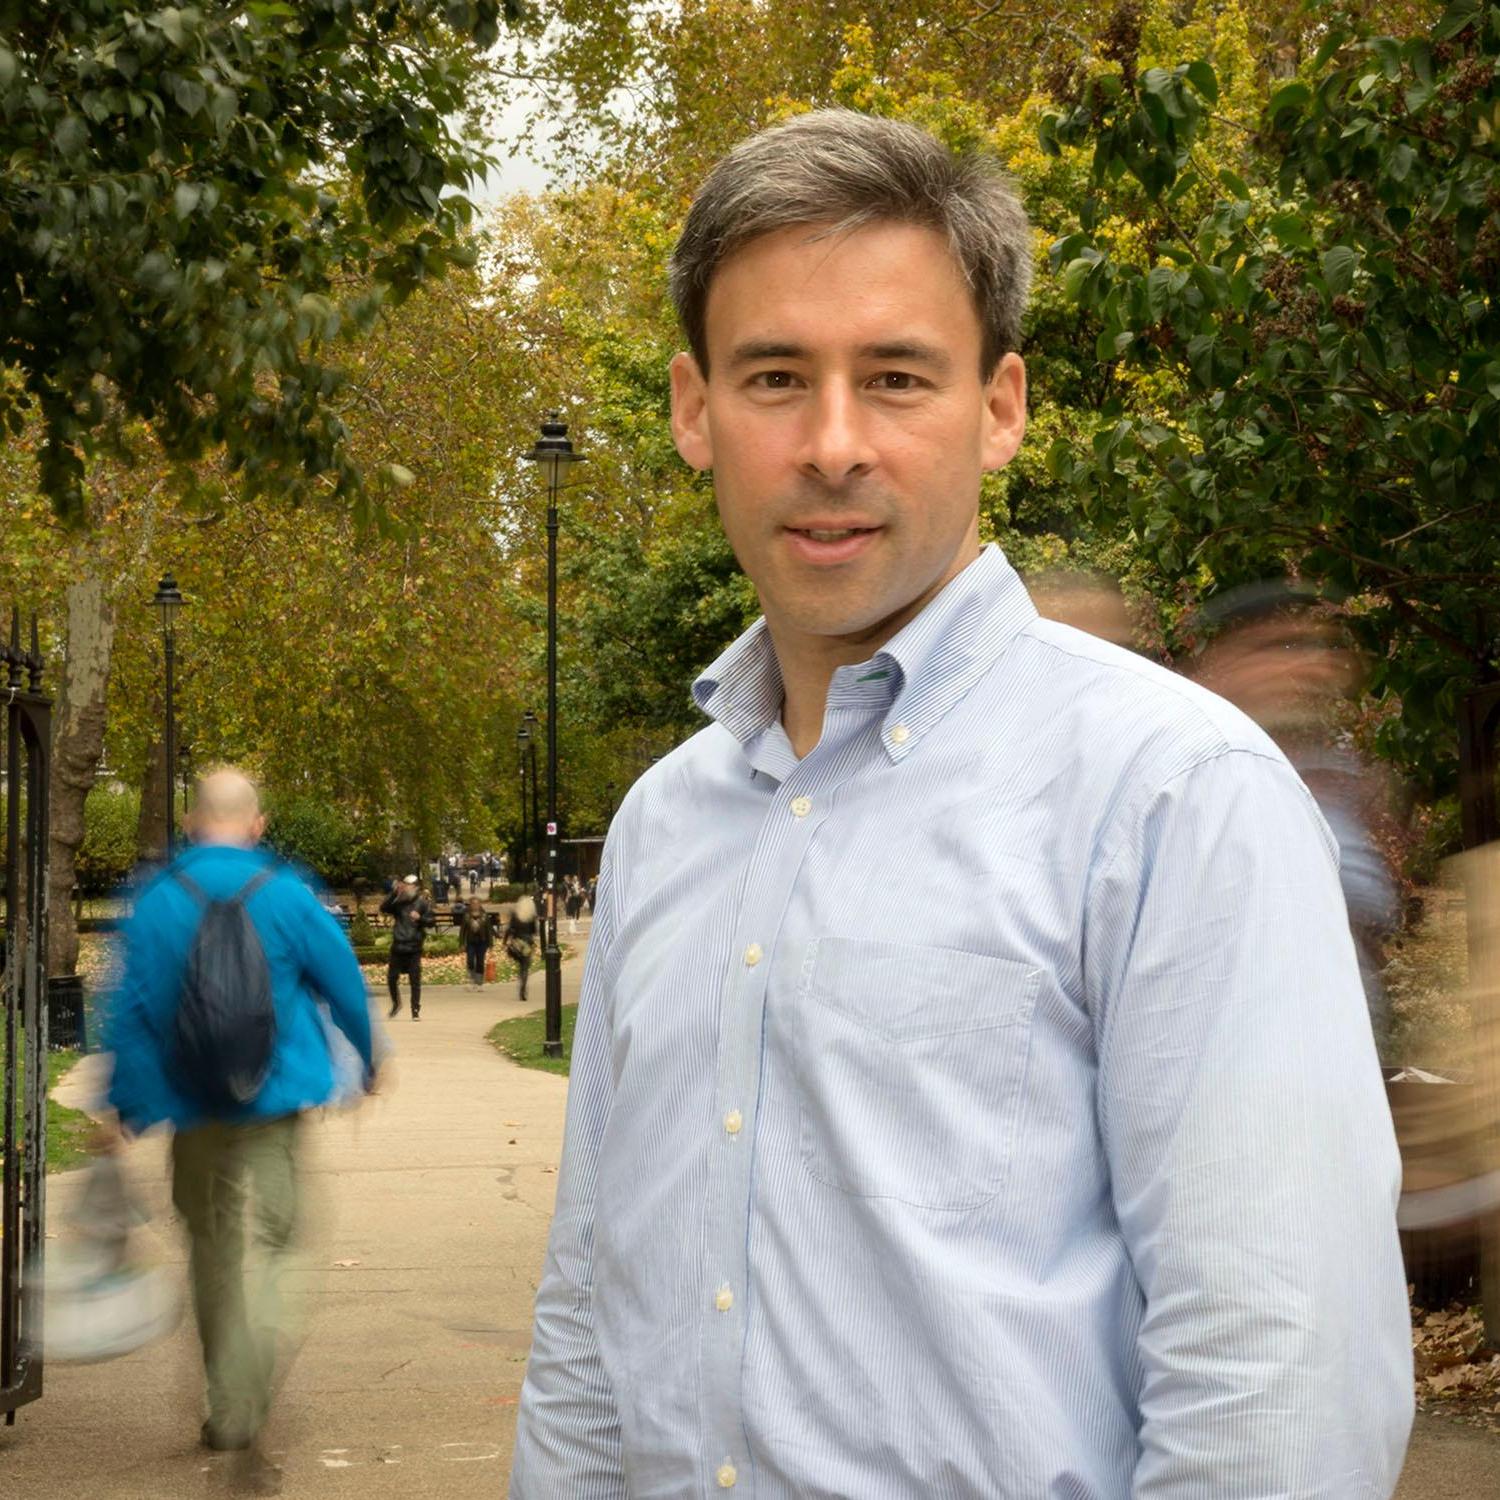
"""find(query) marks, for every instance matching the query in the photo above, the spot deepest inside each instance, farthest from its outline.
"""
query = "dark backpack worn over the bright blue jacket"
(226, 1027)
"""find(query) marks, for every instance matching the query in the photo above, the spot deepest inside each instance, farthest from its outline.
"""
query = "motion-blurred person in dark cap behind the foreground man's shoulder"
(1282, 655)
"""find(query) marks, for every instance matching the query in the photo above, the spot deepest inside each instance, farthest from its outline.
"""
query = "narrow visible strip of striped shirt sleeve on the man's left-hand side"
(568, 1433)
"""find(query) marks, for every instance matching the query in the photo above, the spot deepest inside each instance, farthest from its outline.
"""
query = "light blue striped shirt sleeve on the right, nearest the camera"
(1252, 1154)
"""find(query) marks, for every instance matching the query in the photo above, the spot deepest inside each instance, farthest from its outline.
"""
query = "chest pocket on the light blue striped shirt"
(910, 1066)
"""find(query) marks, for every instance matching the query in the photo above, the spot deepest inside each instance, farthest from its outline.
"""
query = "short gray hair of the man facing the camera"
(844, 170)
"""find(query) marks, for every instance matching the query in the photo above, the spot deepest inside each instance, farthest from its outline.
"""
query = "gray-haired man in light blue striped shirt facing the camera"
(1076, 1184)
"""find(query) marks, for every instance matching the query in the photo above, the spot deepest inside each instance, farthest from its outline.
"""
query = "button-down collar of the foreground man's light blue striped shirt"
(935, 659)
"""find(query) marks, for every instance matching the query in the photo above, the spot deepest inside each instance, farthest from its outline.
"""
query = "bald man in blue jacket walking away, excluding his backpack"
(223, 1160)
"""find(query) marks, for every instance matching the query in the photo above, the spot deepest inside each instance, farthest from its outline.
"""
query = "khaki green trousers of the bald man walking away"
(218, 1168)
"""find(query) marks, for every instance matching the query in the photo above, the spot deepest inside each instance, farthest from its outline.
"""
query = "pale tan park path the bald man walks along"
(437, 1198)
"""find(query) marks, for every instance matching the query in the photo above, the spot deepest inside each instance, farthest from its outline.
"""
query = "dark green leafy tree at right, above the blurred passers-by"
(1327, 334)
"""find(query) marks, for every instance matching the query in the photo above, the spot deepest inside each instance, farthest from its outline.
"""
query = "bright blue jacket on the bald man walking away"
(310, 962)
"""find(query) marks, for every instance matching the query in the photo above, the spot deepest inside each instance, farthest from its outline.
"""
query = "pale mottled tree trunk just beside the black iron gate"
(77, 745)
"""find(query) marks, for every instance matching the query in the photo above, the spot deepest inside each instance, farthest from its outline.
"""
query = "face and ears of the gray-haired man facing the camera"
(847, 425)
